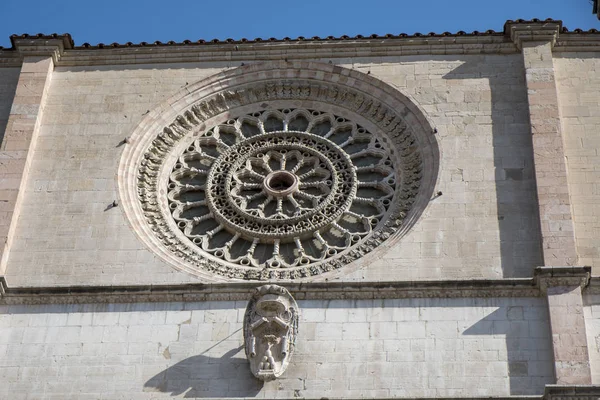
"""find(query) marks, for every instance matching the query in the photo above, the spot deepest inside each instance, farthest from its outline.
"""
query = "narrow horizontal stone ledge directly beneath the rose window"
(243, 291)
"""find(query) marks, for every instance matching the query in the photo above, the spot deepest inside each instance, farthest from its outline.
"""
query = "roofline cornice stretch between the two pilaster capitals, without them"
(236, 54)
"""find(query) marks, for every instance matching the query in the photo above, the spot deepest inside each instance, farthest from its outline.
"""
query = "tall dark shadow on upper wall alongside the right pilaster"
(516, 195)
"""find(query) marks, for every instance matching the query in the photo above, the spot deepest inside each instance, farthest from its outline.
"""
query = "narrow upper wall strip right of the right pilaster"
(578, 83)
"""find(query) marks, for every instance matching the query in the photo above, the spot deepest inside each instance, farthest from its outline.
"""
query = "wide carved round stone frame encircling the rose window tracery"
(170, 129)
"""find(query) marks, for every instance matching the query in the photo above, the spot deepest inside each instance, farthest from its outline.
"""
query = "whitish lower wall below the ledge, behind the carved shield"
(385, 348)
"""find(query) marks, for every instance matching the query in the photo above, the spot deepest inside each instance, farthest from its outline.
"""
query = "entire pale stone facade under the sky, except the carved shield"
(454, 223)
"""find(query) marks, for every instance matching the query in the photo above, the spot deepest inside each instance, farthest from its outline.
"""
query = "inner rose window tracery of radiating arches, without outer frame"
(282, 188)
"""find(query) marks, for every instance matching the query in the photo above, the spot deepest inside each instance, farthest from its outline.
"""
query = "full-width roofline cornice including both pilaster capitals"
(235, 52)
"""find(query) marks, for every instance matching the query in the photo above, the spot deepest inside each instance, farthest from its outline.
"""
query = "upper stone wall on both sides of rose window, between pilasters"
(484, 226)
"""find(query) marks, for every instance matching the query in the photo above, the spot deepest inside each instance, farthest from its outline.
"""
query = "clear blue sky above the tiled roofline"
(135, 21)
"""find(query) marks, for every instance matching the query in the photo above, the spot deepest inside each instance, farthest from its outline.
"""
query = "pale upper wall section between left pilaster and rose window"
(66, 234)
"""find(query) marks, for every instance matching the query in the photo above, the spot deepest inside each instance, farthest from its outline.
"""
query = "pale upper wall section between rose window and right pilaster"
(485, 223)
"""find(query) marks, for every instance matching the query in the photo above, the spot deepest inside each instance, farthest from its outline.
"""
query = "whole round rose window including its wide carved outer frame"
(277, 171)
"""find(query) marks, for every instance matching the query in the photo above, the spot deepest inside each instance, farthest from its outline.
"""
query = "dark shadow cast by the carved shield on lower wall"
(207, 377)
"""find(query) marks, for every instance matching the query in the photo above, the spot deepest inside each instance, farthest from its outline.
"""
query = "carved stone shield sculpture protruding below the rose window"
(270, 328)
